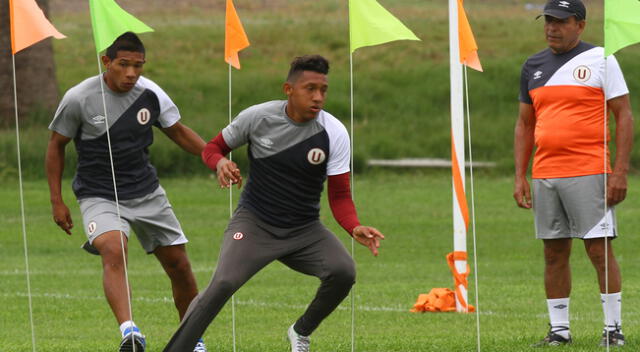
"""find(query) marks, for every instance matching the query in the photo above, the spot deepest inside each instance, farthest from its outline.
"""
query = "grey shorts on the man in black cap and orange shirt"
(572, 207)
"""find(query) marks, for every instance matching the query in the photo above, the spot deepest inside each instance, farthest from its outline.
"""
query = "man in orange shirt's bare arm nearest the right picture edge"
(617, 181)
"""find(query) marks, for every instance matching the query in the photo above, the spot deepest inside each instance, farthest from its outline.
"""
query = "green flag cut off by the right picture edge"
(621, 24)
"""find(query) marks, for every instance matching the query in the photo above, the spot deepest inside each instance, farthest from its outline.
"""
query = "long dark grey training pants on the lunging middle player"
(249, 245)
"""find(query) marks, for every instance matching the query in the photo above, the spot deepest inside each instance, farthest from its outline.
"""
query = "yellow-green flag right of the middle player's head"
(371, 24)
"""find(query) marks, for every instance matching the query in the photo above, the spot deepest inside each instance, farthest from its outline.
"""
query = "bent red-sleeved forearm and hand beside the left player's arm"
(213, 155)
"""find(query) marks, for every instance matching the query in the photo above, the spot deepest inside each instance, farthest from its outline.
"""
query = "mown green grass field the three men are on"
(414, 211)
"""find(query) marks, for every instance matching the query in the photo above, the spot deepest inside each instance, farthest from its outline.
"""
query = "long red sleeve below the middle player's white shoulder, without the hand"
(341, 203)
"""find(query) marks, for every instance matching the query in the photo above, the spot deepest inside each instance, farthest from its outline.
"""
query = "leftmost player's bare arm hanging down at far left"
(54, 165)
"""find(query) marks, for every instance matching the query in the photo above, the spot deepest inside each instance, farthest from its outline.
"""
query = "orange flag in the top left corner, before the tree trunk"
(29, 25)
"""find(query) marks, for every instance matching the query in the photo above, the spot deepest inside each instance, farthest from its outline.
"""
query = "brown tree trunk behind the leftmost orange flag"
(37, 86)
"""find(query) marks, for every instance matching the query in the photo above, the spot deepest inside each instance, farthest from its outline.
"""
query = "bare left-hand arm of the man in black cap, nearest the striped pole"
(522, 148)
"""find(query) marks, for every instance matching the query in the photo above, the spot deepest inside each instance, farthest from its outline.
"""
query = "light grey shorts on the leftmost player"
(151, 218)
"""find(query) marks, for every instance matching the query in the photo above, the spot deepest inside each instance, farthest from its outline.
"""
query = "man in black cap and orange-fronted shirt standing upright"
(562, 99)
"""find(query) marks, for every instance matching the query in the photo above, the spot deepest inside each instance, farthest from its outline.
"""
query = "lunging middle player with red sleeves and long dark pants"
(294, 145)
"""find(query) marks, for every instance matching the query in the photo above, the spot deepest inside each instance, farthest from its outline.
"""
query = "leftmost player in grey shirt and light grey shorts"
(134, 105)
